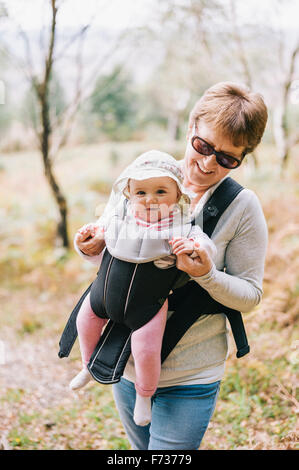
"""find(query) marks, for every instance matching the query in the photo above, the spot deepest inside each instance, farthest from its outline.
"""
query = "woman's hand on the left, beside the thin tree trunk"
(90, 239)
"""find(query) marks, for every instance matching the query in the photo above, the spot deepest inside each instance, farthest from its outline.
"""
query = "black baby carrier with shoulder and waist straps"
(143, 289)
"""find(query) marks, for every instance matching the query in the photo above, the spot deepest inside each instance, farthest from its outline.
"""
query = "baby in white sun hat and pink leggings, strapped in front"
(149, 225)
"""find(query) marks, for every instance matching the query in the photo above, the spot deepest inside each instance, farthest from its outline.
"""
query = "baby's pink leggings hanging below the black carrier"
(146, 343)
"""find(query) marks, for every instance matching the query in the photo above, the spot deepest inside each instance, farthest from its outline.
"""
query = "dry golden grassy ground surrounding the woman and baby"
(258, 404)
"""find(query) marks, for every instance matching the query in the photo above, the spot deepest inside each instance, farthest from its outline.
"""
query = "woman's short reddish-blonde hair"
(234, 111)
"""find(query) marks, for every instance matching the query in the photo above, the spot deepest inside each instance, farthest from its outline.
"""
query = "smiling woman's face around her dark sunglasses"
(204, 171)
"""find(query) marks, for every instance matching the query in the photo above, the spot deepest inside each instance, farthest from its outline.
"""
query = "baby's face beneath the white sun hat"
(153, 199)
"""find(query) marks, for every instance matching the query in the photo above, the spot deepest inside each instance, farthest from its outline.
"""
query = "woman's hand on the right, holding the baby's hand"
(195, 267)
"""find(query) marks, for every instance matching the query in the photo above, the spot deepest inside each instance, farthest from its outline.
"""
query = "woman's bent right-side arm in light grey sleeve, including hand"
(240, 286)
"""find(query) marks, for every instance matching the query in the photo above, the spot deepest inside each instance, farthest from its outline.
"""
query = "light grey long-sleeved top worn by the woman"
(241, 240)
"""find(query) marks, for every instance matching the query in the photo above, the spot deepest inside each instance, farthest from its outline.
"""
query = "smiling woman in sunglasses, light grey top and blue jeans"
(225, 124)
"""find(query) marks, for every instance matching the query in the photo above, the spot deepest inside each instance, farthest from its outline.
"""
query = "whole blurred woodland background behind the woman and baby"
(85, 87)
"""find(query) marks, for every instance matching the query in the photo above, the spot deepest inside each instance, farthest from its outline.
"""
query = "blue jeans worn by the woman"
(180, 415)
